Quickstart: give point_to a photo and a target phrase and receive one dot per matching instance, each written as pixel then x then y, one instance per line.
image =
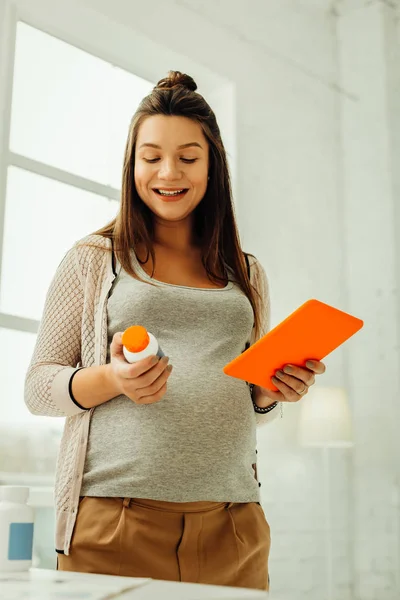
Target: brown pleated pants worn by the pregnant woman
pixel 197 542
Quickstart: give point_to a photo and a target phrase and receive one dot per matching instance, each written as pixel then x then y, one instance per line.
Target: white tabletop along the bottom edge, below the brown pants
pixel 43 584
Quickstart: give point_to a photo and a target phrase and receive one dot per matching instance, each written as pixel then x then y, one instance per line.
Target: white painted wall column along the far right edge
pixel 369 59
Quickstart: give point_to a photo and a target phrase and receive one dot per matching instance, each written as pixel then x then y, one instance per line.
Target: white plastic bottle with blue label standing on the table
pixel 16 529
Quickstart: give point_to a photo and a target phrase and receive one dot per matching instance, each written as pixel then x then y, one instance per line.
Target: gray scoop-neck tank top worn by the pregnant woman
pixel 198 442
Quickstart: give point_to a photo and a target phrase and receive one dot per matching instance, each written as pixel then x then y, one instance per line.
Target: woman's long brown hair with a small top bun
pixel 214 220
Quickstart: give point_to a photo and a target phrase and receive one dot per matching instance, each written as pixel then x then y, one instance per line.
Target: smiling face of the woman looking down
pixel 171 165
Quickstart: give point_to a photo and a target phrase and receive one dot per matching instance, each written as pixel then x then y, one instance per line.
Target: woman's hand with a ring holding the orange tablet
pixel 293 382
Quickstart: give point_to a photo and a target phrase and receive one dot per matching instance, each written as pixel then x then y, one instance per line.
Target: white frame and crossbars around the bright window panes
pixel 114 43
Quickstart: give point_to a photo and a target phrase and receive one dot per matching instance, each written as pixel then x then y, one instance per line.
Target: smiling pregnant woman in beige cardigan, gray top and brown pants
pixel 156 474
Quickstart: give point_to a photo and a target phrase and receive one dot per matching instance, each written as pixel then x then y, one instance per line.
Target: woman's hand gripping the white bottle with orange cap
pixel 143 382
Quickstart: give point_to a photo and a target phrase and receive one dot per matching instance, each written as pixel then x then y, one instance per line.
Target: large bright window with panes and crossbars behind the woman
pixel 69 118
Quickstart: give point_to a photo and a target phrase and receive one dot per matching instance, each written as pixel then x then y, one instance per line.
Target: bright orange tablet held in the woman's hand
pixel 312 331
